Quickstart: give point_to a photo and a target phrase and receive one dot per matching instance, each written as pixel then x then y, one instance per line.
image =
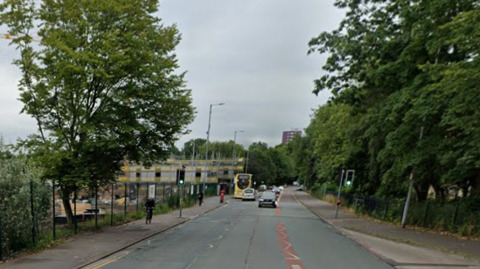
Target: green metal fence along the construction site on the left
pixel 33 215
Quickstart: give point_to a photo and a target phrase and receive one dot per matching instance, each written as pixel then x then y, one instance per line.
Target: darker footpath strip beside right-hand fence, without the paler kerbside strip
pixel 349 221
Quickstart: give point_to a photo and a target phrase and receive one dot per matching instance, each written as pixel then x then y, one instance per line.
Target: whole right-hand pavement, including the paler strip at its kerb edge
pixel 388 242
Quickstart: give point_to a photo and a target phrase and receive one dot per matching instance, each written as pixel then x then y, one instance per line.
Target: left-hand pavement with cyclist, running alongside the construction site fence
pixel 86 248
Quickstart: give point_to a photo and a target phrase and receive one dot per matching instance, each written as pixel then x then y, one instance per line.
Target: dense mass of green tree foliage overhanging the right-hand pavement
pixel 394 74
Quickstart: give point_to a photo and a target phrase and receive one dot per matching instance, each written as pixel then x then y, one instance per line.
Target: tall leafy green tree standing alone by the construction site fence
pixel 102 86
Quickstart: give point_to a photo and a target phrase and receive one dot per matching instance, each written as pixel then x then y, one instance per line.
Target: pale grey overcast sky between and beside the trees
pixel 249 54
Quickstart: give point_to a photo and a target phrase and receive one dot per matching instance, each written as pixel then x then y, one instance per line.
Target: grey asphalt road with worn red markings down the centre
pixel 241 235
